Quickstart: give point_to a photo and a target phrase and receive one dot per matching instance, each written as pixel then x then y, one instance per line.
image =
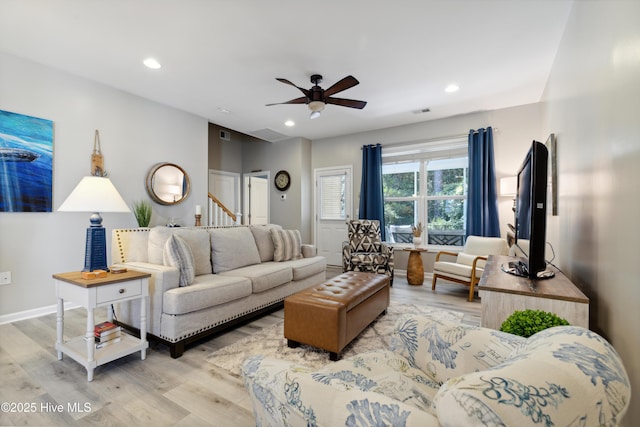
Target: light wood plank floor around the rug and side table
pixel 159 391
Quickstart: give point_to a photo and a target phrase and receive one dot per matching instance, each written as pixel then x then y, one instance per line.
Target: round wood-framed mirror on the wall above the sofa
pixel 168 184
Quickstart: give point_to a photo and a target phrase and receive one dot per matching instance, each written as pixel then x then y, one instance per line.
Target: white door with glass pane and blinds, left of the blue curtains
pixel 333 210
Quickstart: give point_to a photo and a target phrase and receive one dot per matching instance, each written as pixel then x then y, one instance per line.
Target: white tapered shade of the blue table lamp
pixel 94 194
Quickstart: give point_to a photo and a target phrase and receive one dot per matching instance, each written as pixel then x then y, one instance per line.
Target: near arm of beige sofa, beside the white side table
pixel 162 279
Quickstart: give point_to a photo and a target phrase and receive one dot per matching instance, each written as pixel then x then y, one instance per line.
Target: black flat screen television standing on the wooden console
pixel 531 214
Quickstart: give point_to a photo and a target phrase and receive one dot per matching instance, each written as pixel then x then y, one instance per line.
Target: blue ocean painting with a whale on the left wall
pixel 26 163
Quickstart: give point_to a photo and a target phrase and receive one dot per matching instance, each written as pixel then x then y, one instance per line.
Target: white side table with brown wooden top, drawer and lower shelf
pixel 92 293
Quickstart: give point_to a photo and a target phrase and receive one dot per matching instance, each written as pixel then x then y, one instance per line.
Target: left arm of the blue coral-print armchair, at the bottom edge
pixel 283 393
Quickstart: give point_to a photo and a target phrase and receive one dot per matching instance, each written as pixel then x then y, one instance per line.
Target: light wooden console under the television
pixel 502 293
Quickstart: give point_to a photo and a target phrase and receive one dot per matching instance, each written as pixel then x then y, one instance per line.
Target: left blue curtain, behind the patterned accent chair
pixel 371 198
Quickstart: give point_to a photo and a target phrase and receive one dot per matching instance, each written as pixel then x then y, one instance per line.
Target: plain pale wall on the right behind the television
pixel 593 97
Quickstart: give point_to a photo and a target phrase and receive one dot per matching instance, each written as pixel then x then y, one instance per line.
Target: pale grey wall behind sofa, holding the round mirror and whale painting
pixel 135 134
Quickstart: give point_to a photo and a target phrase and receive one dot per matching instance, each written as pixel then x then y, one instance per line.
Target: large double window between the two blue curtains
pixel 426 182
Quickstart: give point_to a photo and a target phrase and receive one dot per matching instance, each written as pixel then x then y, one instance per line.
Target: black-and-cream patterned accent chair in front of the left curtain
pixel 365 251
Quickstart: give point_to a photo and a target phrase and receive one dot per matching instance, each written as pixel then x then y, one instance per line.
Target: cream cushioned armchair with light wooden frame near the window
pixel 469 264
